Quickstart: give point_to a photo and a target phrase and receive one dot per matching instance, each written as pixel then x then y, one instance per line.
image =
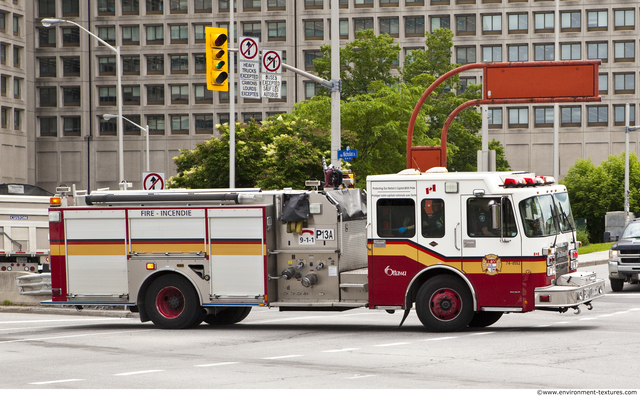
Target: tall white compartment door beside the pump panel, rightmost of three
pixel 237 253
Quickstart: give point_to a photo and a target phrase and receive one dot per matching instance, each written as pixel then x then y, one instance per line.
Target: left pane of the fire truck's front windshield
pixel 538 216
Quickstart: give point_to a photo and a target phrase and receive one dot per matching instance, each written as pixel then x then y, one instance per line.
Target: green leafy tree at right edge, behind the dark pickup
pixel 596 190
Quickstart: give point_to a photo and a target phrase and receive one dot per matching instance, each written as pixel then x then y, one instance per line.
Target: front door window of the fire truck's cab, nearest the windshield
pixel 479 222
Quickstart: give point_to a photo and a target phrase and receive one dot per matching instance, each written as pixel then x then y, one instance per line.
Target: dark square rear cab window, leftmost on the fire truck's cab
pixel 396 218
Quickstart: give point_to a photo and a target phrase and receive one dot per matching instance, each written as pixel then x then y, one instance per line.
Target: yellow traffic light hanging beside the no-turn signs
pixel 217 59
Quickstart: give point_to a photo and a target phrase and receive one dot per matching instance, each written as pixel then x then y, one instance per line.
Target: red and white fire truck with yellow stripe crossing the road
pixel 460 248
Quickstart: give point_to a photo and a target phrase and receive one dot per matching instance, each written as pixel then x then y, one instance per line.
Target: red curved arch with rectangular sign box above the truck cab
pixel 509 83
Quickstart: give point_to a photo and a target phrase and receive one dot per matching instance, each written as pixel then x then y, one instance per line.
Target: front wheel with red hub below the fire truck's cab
pixel 444 303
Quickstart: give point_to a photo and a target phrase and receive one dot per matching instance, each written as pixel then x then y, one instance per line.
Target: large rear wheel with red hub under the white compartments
pixel 172 303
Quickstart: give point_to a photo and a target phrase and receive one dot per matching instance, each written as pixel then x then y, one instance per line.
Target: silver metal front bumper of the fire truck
pixel 558 297
